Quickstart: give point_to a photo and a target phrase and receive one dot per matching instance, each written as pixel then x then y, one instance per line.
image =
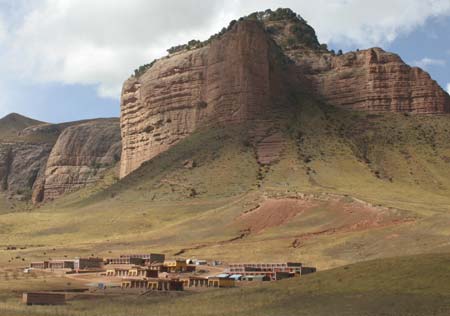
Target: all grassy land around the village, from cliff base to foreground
pixel 377 186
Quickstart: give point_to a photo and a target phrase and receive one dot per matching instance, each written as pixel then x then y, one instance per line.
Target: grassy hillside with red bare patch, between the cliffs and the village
pixel 355 186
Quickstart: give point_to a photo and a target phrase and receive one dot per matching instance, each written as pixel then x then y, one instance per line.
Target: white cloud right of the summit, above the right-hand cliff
pixel 365 23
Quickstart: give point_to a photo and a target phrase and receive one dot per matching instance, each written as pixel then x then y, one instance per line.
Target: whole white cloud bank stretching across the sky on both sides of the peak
pixel 100 42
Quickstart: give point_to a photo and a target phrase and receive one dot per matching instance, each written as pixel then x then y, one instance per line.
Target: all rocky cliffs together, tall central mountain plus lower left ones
pixel 256 70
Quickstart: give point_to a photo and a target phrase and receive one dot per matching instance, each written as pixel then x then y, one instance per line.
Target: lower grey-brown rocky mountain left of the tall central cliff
pixel 40 161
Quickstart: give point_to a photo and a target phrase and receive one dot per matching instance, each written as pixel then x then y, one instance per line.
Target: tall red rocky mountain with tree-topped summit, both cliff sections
pixel 254 69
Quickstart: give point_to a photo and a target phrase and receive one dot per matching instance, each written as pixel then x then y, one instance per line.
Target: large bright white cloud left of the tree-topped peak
pixel 101 42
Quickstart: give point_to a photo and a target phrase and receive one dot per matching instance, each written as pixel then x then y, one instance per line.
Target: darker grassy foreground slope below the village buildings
pixel 418 285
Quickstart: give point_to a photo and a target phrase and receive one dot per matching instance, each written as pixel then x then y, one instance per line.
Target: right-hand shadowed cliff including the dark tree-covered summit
pixel 369 80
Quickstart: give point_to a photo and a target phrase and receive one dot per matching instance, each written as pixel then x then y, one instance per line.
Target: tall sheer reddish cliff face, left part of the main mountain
pixel 229 80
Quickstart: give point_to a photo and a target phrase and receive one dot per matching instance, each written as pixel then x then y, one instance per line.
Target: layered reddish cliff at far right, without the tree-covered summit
pixel 373 80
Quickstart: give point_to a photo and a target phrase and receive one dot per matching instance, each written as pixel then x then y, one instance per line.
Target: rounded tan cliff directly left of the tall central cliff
pixel 79 157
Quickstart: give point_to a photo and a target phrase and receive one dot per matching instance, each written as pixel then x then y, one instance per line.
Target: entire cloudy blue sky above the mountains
pixel 64 60
